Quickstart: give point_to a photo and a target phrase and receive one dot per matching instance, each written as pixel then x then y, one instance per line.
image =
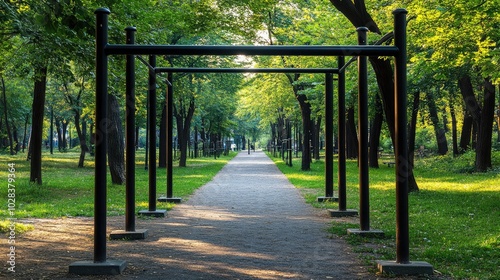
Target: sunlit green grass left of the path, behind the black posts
pixel 68 191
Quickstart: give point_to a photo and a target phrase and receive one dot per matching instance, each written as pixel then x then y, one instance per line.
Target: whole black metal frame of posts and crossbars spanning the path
pixel 362 51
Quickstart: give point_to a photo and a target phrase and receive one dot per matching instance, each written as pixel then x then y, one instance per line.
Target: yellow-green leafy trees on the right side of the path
pixel 453 72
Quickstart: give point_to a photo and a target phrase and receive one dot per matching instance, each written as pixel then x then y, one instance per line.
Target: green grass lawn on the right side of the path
pixel 454 218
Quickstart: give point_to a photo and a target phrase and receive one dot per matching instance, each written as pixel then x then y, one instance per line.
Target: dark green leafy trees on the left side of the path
pixel 47 63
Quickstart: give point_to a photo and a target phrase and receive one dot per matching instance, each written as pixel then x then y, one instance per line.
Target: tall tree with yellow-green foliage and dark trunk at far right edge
pixel 459 37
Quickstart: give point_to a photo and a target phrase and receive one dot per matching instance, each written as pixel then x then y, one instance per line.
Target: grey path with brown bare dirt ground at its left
pixel 249 222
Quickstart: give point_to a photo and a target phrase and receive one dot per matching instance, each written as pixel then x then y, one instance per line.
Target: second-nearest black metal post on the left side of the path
pixel 130 135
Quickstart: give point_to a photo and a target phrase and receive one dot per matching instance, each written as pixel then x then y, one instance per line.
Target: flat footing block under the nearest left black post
pixel 109 267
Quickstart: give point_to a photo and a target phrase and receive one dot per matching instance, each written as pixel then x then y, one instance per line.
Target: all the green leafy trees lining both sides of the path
pixel 46 66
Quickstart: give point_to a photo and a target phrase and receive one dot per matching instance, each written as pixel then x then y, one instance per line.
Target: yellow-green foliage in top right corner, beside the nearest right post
pixel 450 35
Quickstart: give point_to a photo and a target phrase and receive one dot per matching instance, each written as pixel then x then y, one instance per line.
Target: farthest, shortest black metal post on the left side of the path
pixel 170 124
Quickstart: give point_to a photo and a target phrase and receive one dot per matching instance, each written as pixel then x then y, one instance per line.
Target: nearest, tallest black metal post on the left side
pixel 101 111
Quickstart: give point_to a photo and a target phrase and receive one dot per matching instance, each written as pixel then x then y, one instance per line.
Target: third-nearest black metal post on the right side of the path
pixel 341 133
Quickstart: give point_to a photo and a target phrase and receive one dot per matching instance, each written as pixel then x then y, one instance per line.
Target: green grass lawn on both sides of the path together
pixel 454 219
